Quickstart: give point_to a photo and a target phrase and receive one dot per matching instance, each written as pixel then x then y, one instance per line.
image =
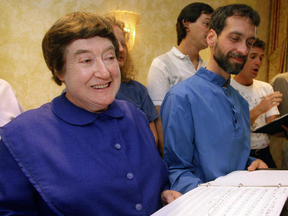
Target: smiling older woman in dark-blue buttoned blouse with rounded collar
pixel 84 153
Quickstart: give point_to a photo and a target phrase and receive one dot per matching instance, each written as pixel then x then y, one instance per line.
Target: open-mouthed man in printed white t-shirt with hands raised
pixel 263 102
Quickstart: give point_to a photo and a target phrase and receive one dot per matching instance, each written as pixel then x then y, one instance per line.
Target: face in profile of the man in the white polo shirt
pixel 197 31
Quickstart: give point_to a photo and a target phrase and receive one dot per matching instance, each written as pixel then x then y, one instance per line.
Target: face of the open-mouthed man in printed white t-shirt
pixel 253 64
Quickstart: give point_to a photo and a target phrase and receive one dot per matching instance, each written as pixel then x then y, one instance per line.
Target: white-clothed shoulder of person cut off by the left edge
pixel 10 107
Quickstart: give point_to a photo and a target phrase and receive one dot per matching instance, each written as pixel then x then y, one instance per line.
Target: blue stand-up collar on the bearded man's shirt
pixel 212 77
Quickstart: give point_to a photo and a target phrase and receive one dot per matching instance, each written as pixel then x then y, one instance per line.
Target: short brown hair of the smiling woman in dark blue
pixel 73 26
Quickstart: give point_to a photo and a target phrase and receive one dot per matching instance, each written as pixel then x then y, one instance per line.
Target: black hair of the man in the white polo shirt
pixel 190 13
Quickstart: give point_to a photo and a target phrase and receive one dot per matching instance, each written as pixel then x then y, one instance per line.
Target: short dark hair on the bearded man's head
pixel 218 18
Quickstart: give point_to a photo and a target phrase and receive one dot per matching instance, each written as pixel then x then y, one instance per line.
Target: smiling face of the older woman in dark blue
pixel 91 73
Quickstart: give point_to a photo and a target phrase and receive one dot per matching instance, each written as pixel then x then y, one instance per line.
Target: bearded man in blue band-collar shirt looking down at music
pixel 206 124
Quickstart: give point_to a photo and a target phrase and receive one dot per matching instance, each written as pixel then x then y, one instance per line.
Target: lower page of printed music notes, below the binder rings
pixel 219 201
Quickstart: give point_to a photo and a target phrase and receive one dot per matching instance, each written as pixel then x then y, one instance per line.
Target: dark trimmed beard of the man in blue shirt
pixel 225 64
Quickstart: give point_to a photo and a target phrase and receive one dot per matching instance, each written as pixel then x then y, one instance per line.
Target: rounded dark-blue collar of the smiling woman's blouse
pixel 73 114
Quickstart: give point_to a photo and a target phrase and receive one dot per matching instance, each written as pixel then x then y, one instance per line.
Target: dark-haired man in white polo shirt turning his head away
pixel 182 62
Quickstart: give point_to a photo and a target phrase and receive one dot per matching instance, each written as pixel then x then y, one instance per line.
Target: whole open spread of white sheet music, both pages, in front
pixel 260 194
